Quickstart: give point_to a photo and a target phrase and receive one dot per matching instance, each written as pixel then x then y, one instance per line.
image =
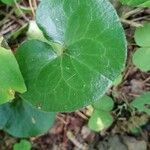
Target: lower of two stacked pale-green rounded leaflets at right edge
pixel 141 59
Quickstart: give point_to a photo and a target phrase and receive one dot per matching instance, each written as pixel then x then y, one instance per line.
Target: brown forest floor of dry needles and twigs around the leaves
pixel 70 130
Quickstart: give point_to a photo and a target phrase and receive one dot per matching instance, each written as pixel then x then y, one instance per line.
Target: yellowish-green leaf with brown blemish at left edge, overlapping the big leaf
pixel 11 80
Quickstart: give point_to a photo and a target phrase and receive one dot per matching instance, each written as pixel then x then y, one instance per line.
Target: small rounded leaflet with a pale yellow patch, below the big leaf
pixel 100 120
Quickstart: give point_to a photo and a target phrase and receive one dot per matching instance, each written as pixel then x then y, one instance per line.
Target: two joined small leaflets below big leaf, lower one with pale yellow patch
pixel 101 117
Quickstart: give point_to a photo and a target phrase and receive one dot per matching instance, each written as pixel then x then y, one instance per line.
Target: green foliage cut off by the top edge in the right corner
pixel 139 3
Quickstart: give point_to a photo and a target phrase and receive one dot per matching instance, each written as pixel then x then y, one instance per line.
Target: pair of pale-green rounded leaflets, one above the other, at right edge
pixel 142 55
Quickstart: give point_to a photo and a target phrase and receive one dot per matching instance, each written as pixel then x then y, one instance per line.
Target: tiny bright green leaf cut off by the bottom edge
pixel 23 145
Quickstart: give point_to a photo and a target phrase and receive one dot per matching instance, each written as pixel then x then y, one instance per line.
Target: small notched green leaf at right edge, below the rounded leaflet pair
pixel 142 103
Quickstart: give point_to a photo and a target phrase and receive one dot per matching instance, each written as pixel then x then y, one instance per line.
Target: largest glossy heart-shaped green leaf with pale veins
pixel 87 53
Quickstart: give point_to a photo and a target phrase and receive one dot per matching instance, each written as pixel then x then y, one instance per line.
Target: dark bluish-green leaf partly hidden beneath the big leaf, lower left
pixel 21 120
